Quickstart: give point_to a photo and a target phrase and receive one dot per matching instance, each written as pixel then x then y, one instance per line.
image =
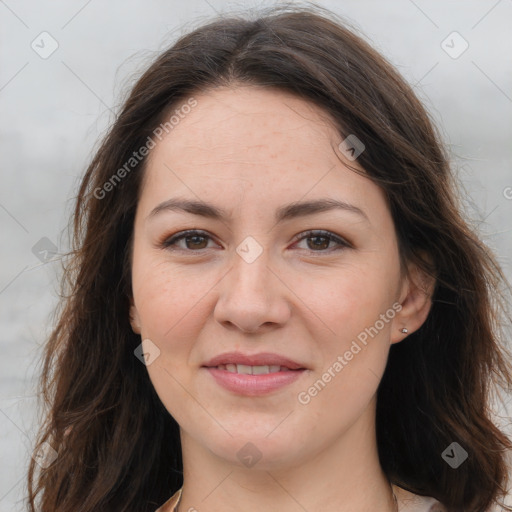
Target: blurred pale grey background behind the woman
pixel 64 69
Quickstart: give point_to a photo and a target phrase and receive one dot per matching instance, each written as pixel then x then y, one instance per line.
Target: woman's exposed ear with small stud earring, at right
pixel 416 300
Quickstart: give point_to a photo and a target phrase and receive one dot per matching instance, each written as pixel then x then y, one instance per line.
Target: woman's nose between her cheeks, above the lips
pixel 252 297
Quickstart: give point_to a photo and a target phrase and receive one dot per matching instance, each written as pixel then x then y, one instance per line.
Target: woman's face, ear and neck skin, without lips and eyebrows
pixel 251 150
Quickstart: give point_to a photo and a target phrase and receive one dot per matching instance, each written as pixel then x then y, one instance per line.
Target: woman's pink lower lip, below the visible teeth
pixel 253 385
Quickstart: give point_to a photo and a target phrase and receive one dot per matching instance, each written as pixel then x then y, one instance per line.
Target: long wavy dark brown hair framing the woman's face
pixel 118 449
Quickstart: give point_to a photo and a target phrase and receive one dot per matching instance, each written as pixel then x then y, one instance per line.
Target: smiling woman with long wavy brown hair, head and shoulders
pixel 273 301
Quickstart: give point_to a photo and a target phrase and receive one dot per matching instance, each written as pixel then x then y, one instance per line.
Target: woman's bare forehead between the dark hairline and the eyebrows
pixel 259 144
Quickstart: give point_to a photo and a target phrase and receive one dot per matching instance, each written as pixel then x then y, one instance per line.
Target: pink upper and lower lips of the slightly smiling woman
pixel 253 385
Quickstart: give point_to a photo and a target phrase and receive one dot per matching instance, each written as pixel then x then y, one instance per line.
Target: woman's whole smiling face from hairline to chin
pixel 310 295
